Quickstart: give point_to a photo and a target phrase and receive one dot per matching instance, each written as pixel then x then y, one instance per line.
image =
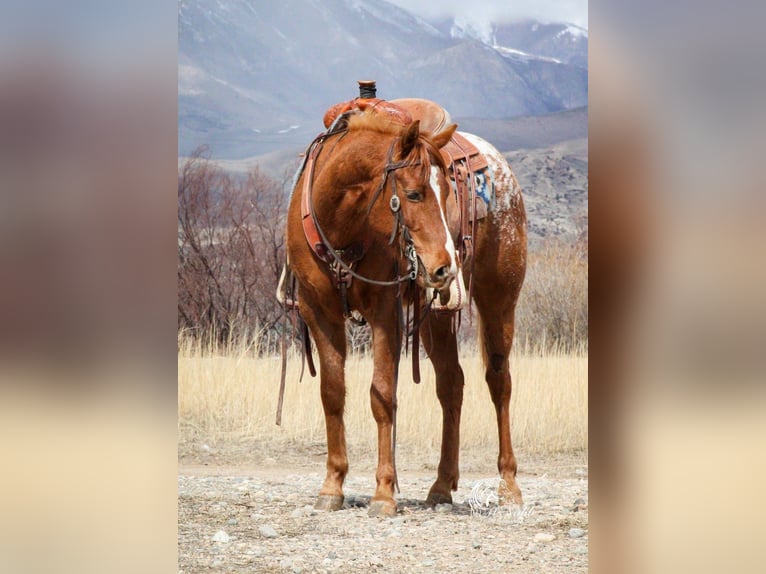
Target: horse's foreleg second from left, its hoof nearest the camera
pixel 382 401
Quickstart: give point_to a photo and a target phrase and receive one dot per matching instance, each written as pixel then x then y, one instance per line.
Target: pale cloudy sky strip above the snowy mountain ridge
pixel 574 11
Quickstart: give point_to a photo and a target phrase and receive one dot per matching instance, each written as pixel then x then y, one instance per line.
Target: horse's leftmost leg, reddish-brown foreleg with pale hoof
pixel 330 338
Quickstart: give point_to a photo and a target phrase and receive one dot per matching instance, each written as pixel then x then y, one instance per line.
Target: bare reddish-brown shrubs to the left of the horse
pixel 230 251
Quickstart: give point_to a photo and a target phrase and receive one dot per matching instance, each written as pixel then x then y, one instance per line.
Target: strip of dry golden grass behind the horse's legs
pixel 231 396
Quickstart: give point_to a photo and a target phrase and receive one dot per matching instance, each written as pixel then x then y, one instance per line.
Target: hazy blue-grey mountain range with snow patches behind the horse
pixel 257 76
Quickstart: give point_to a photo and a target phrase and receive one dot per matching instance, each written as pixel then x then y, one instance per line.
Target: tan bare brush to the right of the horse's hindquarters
pixel 553 306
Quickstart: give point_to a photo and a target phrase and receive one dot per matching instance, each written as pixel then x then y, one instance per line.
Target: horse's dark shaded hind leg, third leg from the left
pixel 441 345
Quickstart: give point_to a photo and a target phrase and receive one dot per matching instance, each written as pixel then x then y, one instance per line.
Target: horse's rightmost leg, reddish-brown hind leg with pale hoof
pixel 497 334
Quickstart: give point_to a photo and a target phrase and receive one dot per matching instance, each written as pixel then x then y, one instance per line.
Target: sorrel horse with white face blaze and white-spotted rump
pixel 367 232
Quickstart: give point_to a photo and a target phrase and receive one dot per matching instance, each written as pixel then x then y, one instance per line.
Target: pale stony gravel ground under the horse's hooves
pixel 246 519
